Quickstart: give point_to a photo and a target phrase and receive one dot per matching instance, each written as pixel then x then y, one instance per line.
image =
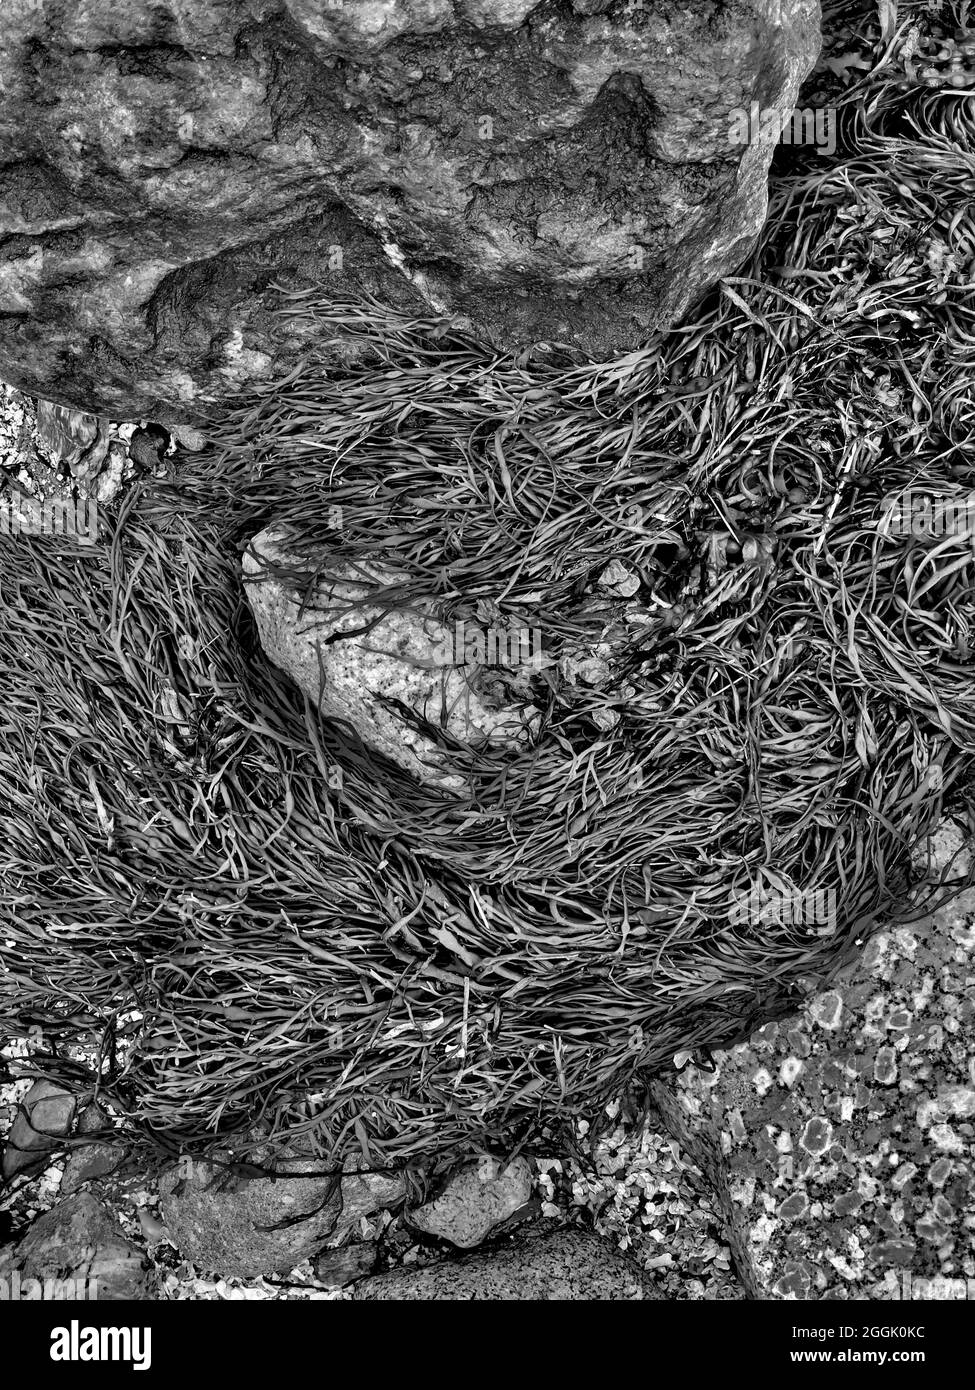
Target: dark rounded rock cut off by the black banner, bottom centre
pixel 567 1266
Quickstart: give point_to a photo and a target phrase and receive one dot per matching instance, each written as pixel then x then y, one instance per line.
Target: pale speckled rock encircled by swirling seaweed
pixel 404 657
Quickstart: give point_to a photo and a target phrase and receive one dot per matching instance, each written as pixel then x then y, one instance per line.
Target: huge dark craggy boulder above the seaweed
pixel 540 172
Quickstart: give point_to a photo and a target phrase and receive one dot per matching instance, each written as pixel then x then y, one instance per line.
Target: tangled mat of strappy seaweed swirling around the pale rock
pixel 262 925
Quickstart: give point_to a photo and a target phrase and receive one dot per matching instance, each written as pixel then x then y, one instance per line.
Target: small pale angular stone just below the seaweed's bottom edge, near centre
pixel 475 1200
